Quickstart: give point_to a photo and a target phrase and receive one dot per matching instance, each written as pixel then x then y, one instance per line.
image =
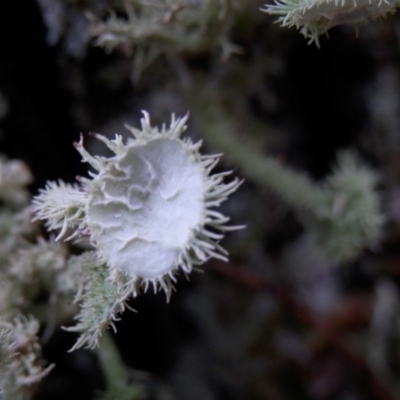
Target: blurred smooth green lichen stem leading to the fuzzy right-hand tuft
pixel 218 129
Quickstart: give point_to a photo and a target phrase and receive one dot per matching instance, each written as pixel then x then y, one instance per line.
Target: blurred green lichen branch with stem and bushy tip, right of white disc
pixel 342 213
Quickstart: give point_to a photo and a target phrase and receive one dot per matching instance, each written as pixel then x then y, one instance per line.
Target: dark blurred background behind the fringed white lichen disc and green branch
pixel 278 321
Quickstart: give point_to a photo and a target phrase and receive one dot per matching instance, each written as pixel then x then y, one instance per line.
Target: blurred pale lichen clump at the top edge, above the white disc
pixel 155 28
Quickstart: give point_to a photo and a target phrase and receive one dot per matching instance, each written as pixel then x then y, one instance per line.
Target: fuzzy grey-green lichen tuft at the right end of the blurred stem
pixel 351 218
